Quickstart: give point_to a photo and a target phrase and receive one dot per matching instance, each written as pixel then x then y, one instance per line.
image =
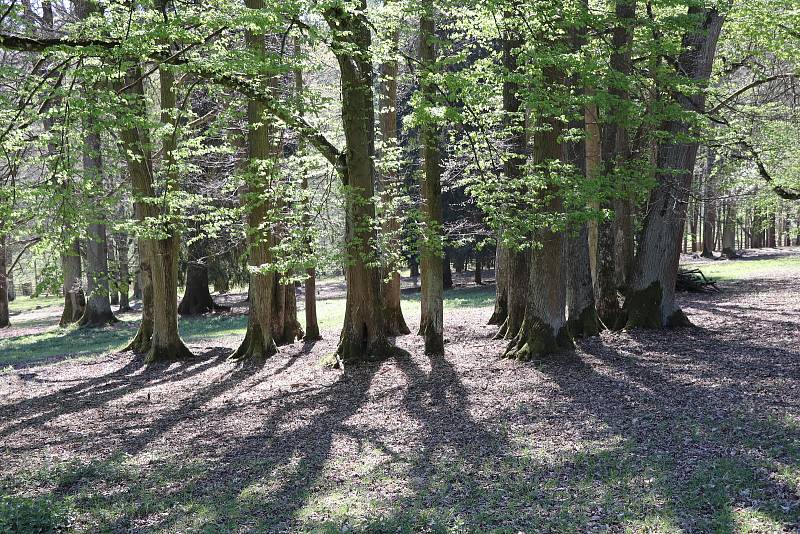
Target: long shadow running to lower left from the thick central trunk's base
pixel 277 465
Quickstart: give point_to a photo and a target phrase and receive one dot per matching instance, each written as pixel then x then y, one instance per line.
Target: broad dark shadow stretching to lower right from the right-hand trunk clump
pixel 688 431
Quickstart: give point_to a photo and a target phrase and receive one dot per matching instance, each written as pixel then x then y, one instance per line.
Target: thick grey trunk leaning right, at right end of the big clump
pixel 650 300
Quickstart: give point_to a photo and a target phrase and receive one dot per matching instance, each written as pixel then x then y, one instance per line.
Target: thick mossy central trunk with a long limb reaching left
pixel 364 333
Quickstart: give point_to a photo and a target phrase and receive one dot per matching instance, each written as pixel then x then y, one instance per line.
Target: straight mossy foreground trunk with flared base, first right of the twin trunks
pixel 258 343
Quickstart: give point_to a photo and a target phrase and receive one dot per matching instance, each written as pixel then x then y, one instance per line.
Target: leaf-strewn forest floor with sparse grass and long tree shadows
pixel 686 430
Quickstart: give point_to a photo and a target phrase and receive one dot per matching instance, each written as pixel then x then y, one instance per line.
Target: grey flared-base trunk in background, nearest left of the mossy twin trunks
pixel 98 306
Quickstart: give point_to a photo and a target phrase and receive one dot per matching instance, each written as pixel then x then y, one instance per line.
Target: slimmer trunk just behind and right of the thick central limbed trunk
pixel 389 187
